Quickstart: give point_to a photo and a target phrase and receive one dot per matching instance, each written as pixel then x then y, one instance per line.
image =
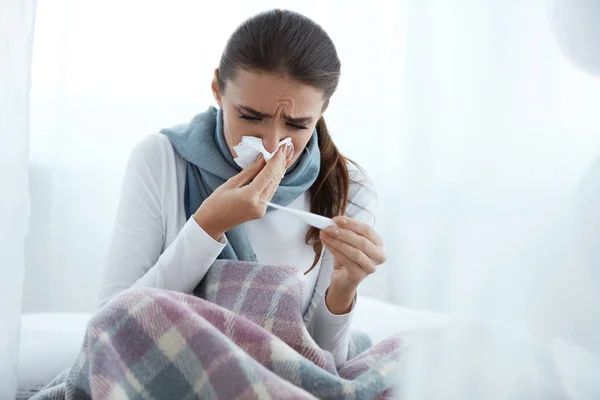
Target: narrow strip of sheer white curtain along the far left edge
pixel 16 39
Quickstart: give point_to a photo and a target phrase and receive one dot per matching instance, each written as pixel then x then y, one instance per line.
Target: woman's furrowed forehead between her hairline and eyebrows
pixel 265 92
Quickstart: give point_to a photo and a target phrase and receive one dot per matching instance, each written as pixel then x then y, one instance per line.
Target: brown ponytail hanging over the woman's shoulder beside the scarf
pixel 329 194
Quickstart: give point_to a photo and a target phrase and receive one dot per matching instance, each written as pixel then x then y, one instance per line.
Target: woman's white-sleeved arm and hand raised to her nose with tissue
pixel 136 255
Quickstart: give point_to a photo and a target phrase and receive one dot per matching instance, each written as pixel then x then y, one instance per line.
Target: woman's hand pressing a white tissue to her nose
pixel 239 199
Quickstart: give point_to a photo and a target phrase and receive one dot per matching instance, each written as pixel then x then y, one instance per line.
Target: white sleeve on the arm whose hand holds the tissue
pixel 135 256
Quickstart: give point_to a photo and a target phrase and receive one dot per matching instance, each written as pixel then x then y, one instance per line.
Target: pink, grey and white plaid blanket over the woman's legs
pixel 241 336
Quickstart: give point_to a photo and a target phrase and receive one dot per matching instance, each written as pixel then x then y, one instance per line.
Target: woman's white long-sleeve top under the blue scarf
pixel 154 245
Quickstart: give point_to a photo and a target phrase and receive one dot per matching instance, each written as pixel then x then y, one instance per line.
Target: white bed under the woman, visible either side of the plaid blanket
pixel 50 344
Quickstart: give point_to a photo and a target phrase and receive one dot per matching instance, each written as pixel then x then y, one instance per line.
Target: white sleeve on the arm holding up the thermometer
pixel 332 332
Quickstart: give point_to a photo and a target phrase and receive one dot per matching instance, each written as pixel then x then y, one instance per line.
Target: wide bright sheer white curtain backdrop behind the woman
pixel 472 124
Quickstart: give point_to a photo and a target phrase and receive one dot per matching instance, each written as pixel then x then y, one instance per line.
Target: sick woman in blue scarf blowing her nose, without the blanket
pixel 185 202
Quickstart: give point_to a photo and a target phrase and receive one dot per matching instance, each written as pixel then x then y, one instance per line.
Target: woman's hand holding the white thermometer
pixel 357 250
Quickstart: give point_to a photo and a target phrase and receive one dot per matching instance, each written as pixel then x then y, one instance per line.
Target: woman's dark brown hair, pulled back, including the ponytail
pixel 287 43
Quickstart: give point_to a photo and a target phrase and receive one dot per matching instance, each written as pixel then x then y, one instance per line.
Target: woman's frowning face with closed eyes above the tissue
pixel 269 107
